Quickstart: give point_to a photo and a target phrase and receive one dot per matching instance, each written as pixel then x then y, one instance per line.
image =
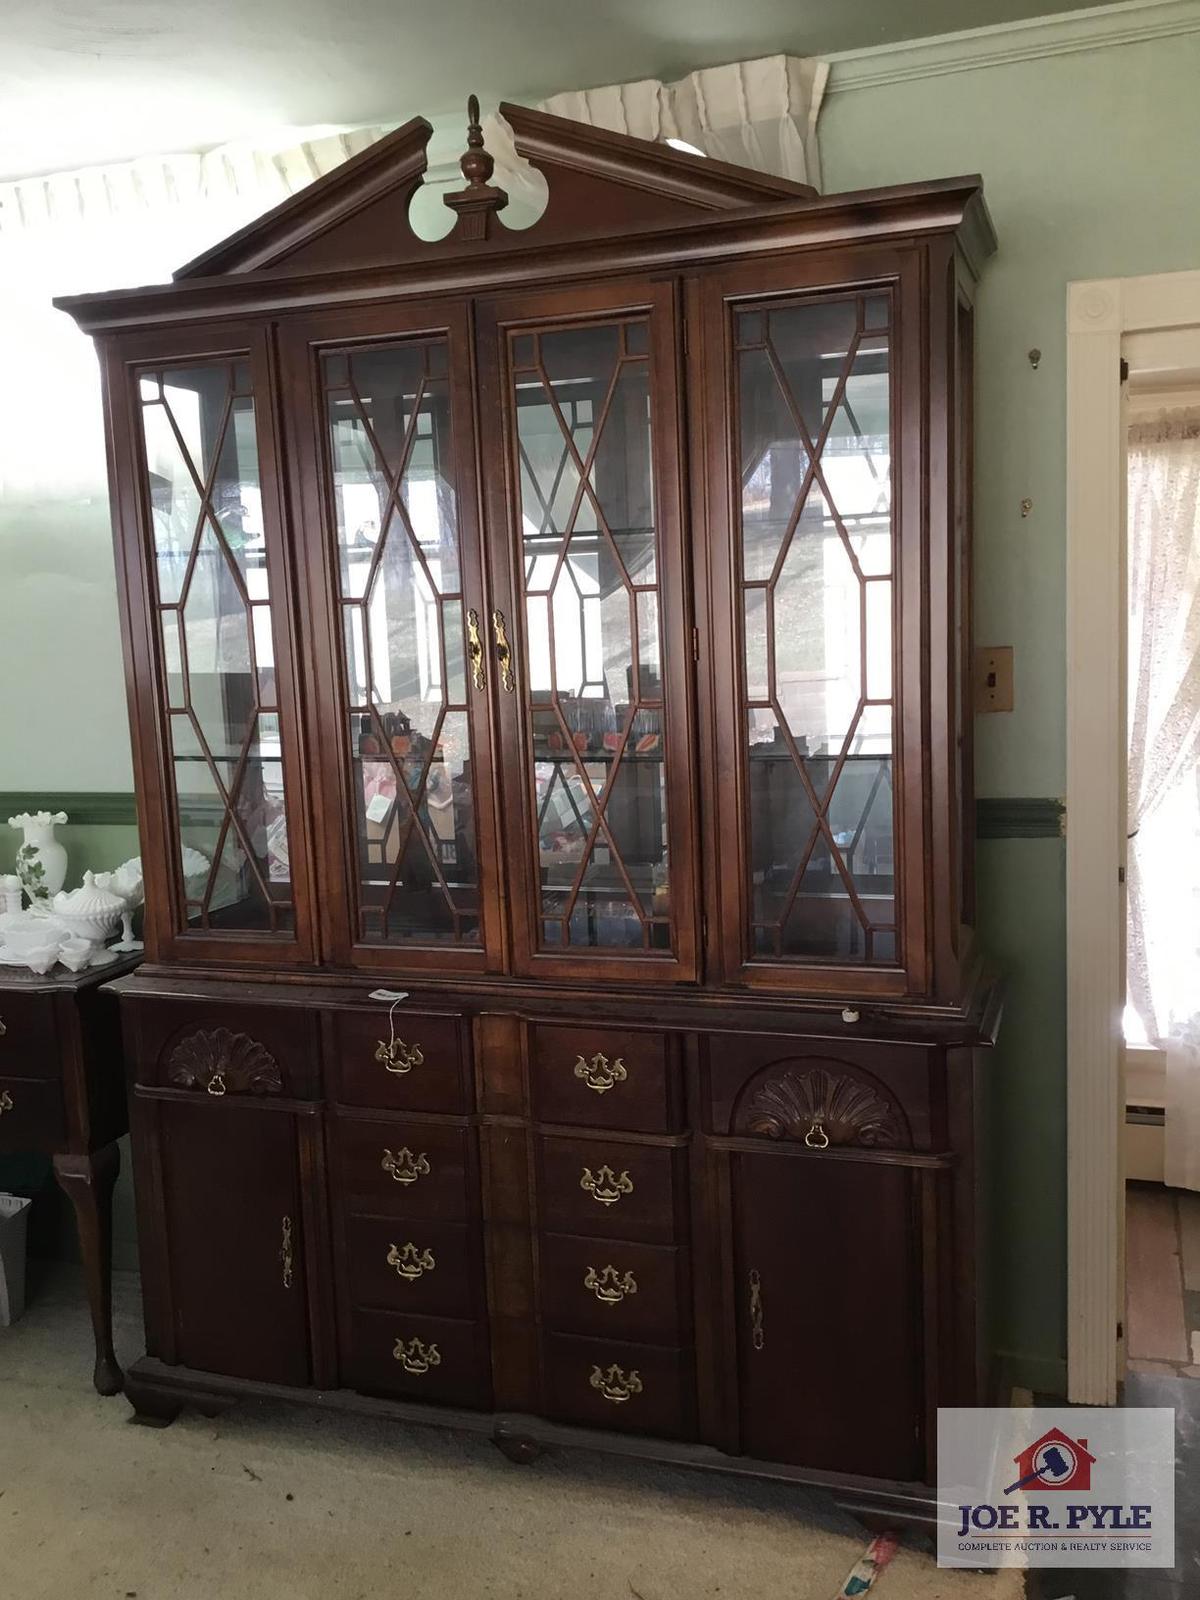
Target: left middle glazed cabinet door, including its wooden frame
pixel 382 406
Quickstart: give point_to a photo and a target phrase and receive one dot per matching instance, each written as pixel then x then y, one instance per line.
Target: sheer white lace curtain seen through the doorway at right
pixel 1164 772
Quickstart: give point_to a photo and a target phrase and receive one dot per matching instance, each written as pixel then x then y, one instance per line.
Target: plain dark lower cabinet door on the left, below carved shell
pixel 231 1188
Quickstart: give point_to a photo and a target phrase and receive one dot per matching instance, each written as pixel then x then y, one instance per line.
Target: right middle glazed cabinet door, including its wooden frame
pixel 591 631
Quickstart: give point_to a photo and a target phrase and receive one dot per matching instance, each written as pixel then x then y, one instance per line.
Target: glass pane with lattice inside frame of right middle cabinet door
pixel 594 671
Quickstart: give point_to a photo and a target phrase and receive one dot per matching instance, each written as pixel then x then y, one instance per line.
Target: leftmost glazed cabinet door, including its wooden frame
pixel 210 649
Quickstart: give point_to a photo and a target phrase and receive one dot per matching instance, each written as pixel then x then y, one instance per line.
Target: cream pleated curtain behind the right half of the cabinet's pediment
pixel 758 114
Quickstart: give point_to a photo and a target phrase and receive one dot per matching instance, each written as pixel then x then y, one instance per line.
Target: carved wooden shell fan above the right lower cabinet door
pixel 822 1108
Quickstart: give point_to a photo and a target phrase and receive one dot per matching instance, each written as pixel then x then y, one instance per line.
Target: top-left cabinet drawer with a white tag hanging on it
pixel 418 1063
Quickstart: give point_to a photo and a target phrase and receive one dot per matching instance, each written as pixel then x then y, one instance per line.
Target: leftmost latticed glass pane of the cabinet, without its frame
pixel 206 510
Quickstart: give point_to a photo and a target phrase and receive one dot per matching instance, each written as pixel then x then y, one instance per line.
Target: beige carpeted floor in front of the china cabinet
pixel 273 1503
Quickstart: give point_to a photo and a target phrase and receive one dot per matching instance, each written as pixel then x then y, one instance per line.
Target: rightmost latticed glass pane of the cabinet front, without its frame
pixel 817 602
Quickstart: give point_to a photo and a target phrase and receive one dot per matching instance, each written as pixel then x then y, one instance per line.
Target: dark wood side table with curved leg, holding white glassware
pixel 63 1095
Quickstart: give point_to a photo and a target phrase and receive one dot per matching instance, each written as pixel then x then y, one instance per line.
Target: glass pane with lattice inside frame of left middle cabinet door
pixel 404 642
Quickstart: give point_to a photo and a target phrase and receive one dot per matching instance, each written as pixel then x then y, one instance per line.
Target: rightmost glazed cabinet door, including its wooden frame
pixel 812 436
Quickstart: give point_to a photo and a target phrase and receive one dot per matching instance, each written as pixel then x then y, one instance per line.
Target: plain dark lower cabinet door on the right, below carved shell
pixel 830 1303
